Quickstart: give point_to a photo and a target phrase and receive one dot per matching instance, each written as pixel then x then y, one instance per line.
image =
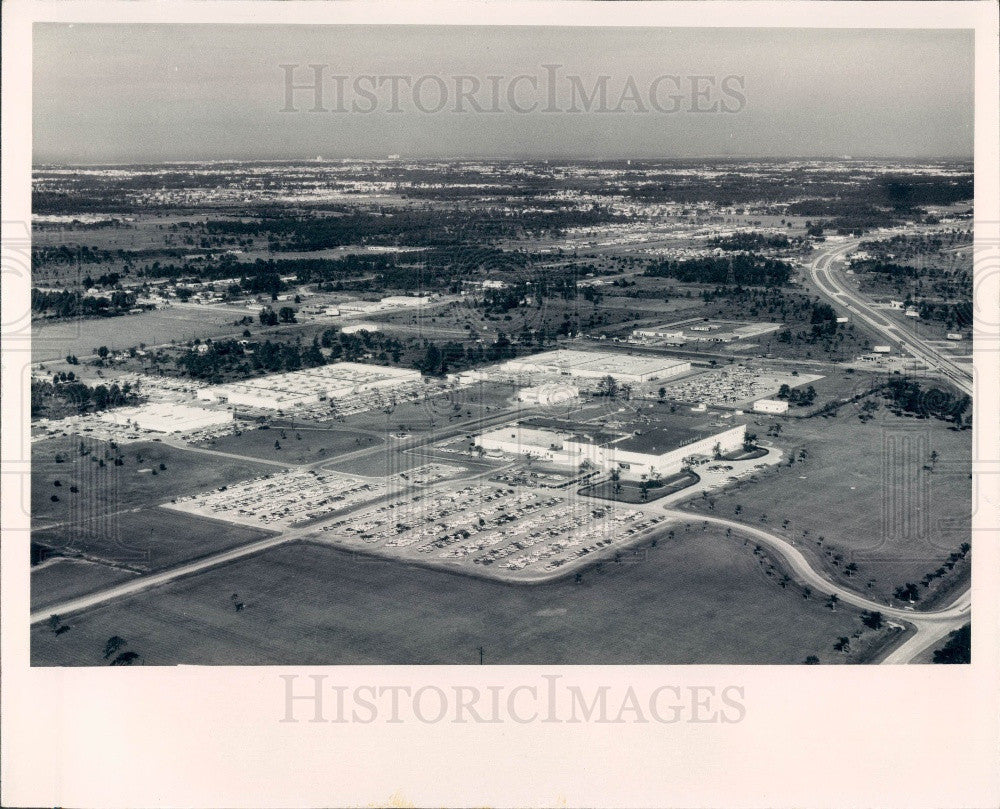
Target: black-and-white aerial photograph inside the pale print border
pixel 593 346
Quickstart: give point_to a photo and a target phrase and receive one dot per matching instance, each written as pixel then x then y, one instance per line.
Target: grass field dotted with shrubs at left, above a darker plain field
pixel 112 488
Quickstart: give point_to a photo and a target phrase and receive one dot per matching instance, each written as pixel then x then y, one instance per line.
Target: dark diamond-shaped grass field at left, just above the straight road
pixel 147 539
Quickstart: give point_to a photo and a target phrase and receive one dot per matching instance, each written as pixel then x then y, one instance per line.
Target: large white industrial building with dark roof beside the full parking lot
pixel 657 452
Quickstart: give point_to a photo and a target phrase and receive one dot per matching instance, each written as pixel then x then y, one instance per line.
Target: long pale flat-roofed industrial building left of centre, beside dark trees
pixel 298 388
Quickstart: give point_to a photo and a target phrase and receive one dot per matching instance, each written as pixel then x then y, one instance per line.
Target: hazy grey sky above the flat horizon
pixel 151 93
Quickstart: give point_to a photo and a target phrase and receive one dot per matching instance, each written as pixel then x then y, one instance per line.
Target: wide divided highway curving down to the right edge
pixel 829 282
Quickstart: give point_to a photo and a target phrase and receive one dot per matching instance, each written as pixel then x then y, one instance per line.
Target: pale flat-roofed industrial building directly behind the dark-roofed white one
pixel 597 365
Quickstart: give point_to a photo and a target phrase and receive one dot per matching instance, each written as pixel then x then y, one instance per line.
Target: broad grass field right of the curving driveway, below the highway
pixel 864 489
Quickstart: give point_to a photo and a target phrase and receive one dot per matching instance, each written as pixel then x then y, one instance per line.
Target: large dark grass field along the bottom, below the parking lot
pixel 697 599
